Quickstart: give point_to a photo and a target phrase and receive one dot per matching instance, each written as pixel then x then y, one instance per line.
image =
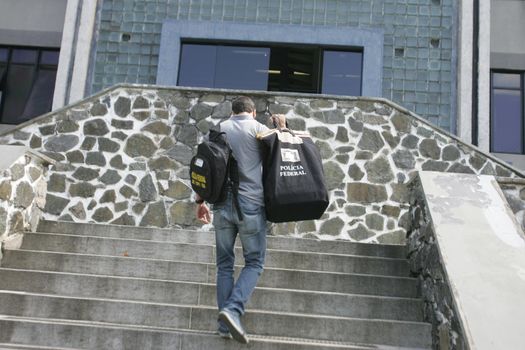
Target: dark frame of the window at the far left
pixel 37 66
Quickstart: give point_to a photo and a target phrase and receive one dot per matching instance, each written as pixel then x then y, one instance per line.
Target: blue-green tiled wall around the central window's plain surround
pixel 418 72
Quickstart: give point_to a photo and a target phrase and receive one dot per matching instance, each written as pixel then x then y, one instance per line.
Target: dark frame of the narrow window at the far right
pixel 522 105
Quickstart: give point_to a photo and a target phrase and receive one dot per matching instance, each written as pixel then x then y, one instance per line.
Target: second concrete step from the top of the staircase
pixel 206 254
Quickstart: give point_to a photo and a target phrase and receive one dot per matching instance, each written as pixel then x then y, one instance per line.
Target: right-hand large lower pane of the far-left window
pixel 41 98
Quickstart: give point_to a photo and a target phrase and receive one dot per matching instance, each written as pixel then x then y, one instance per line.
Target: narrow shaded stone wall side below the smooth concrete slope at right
pixel 425 264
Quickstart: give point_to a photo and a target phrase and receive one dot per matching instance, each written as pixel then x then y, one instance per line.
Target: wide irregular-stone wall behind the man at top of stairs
pixel 123 157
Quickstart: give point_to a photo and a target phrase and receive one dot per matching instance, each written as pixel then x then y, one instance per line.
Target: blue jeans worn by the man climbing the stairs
pixel 252 233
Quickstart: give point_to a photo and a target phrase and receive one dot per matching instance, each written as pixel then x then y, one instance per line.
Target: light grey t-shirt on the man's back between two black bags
pixel 241 131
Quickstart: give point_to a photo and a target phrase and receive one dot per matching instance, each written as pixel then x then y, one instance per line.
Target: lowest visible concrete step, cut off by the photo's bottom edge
pixel 80 335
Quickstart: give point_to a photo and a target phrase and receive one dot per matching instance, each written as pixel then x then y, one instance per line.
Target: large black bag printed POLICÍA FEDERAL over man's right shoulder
pixel 293 176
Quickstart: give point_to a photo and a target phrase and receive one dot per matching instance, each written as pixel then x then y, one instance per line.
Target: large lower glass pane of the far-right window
pixel 507 125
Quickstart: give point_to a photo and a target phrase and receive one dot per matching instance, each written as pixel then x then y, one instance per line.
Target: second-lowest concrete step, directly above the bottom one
pixel 202 318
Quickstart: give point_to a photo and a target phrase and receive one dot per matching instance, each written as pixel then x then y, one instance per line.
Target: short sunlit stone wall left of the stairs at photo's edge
pixel 22 197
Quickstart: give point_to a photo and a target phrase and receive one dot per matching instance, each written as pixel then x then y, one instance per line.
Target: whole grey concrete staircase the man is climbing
pixel 86 286
